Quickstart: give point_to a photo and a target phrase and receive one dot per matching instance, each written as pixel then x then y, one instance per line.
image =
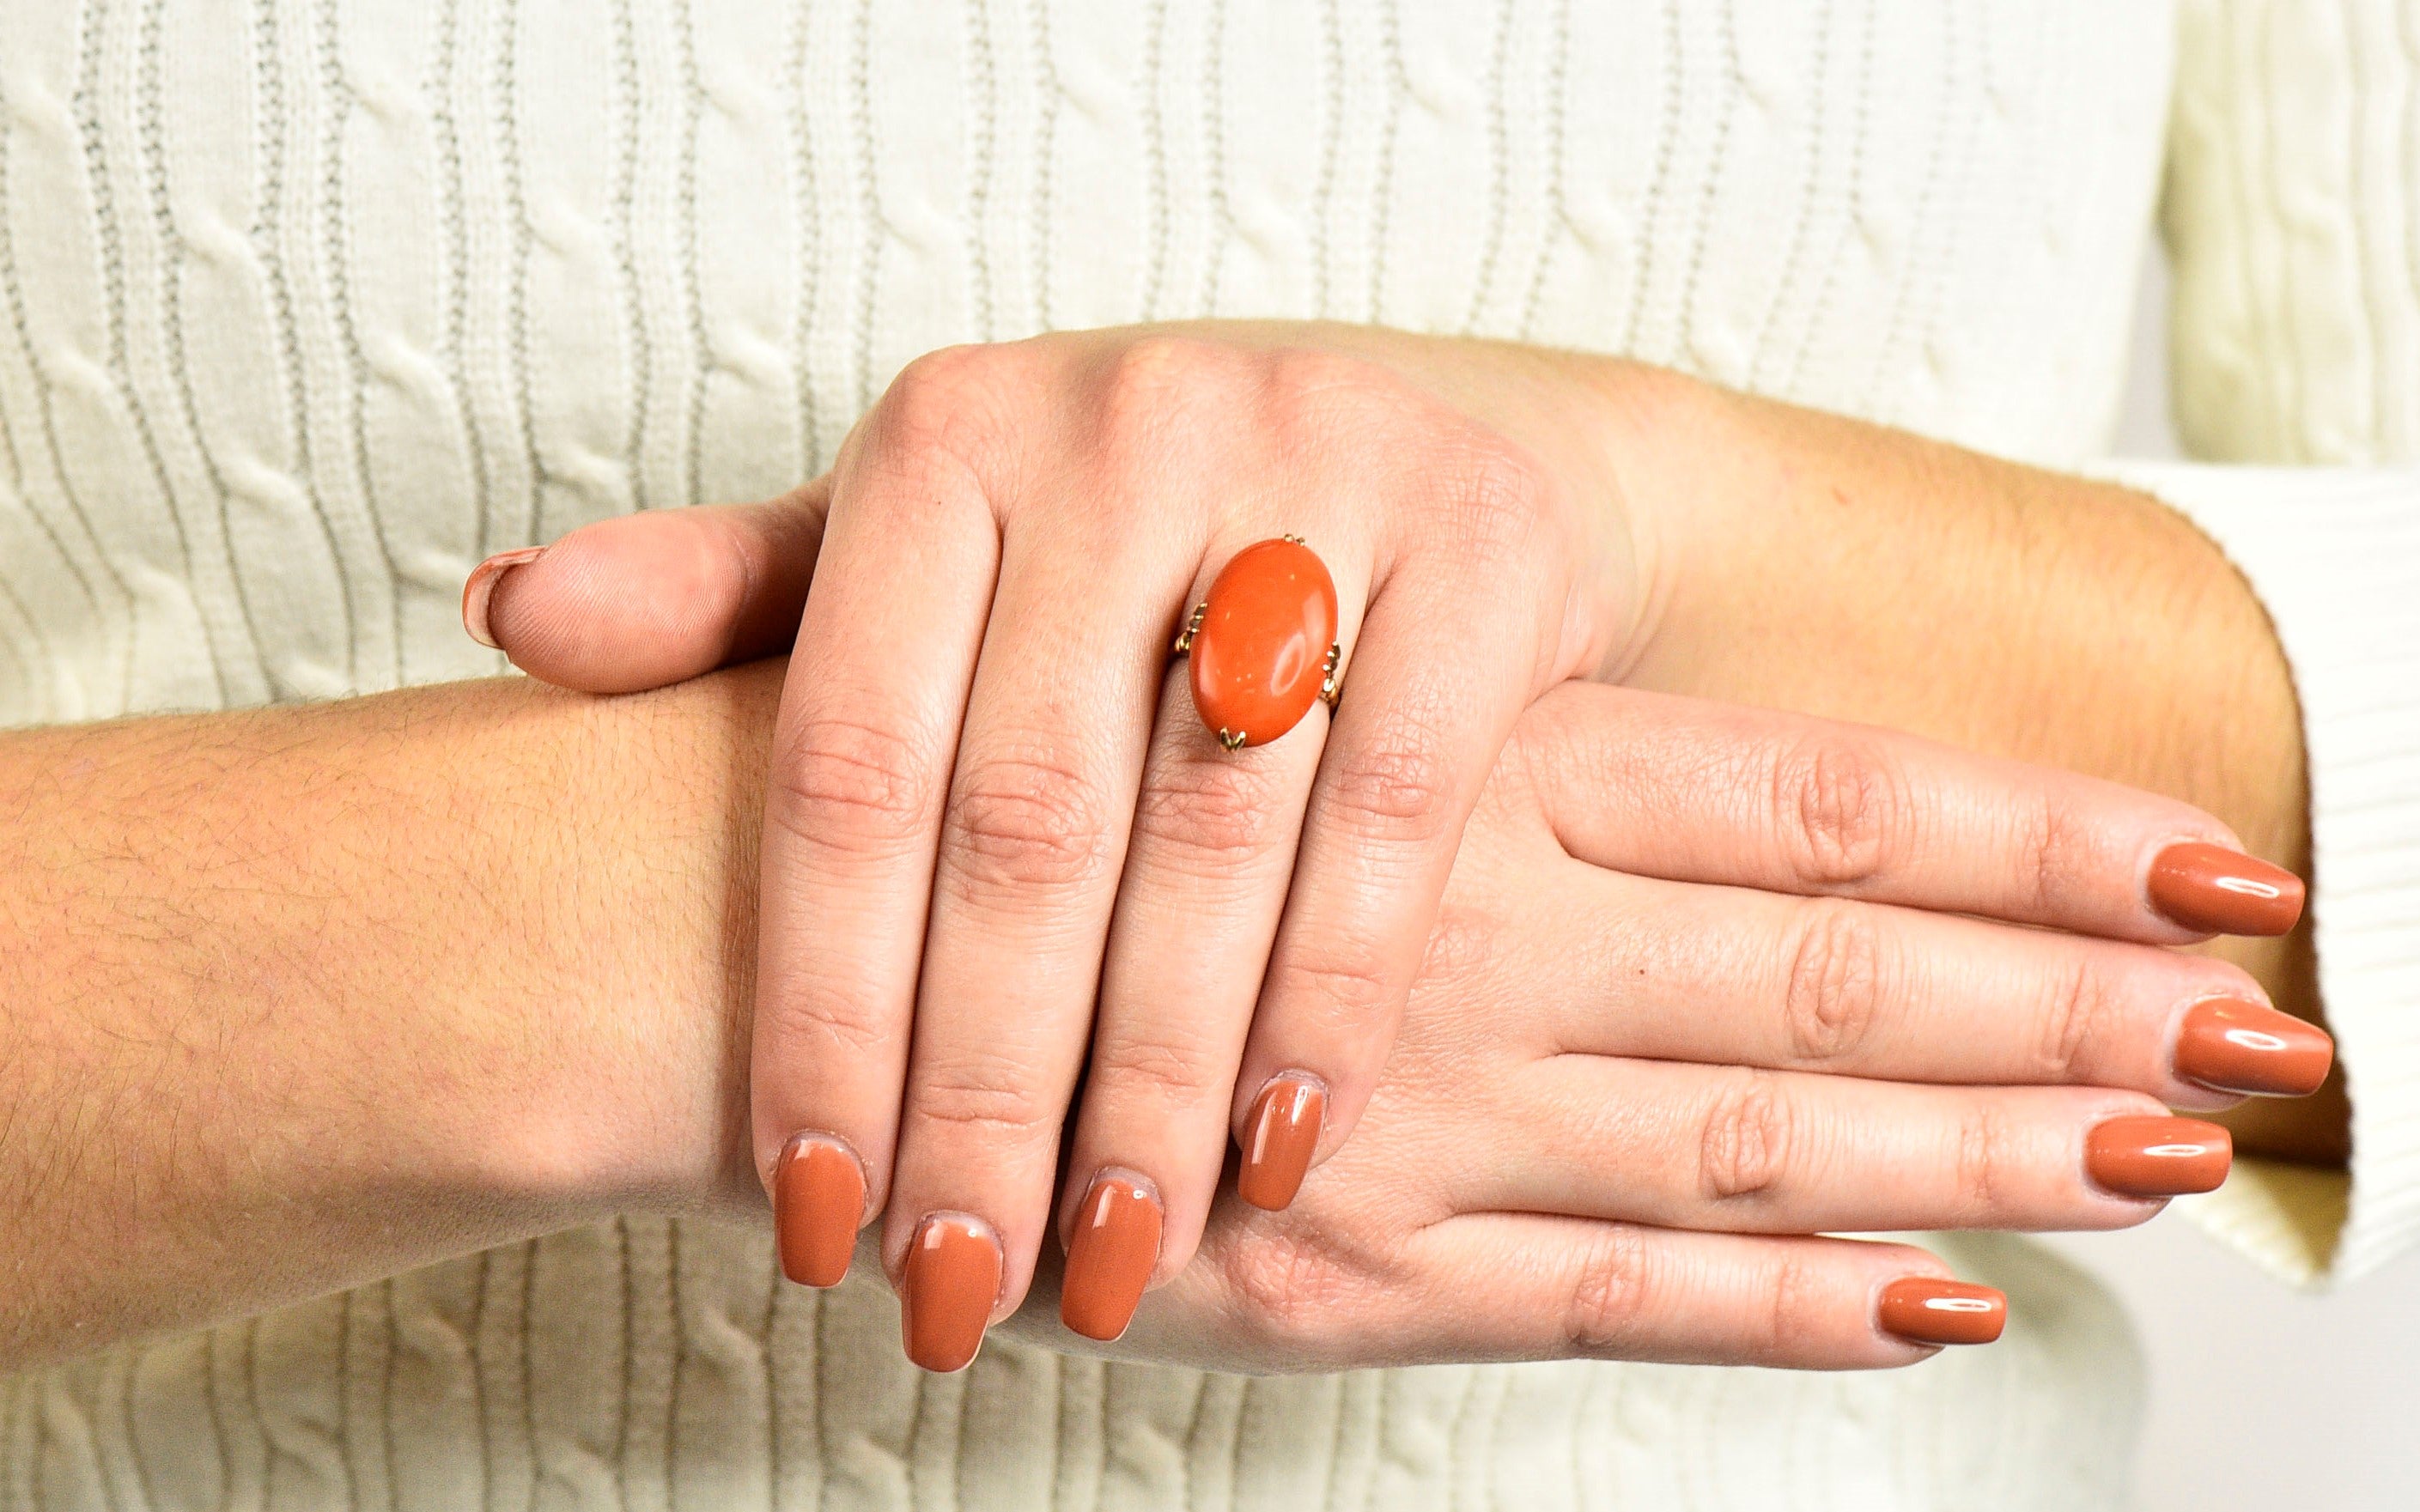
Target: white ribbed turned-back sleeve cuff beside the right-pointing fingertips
pixel 2337 560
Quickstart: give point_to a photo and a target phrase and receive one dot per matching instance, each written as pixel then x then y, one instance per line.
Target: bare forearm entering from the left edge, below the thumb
pixel 309 996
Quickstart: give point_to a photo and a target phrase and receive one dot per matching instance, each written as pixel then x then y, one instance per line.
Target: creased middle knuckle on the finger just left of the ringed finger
pixel 1025 821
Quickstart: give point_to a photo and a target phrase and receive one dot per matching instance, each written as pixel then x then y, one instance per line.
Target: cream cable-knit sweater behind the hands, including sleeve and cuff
pixel 306 306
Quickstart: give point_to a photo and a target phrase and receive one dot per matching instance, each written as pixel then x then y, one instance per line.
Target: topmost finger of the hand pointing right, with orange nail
pixel 1698 792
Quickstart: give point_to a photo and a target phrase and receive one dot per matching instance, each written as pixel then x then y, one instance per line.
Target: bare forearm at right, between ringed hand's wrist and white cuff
pixel 1833 567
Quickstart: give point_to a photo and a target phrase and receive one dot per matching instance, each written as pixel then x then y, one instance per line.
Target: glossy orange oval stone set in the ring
pixel 1262 647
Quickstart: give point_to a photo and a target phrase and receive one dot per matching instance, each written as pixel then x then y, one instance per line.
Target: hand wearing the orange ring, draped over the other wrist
pixel 993 804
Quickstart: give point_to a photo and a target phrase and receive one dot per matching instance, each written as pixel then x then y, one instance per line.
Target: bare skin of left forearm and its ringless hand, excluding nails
pixel 311 996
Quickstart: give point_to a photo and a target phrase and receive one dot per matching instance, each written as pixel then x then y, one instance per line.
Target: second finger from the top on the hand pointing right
pixel 1734 976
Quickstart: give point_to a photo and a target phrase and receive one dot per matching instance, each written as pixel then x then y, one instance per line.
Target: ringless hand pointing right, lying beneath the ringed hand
pixel 1627 928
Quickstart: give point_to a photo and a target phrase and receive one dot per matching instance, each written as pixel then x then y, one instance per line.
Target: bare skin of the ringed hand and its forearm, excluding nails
pixel 1661 533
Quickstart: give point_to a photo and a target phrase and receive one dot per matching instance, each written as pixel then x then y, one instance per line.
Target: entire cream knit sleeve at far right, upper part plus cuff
pixel 2293 221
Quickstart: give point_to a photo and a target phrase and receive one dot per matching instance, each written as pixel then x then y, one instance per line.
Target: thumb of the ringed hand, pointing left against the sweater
pixel 652 599
